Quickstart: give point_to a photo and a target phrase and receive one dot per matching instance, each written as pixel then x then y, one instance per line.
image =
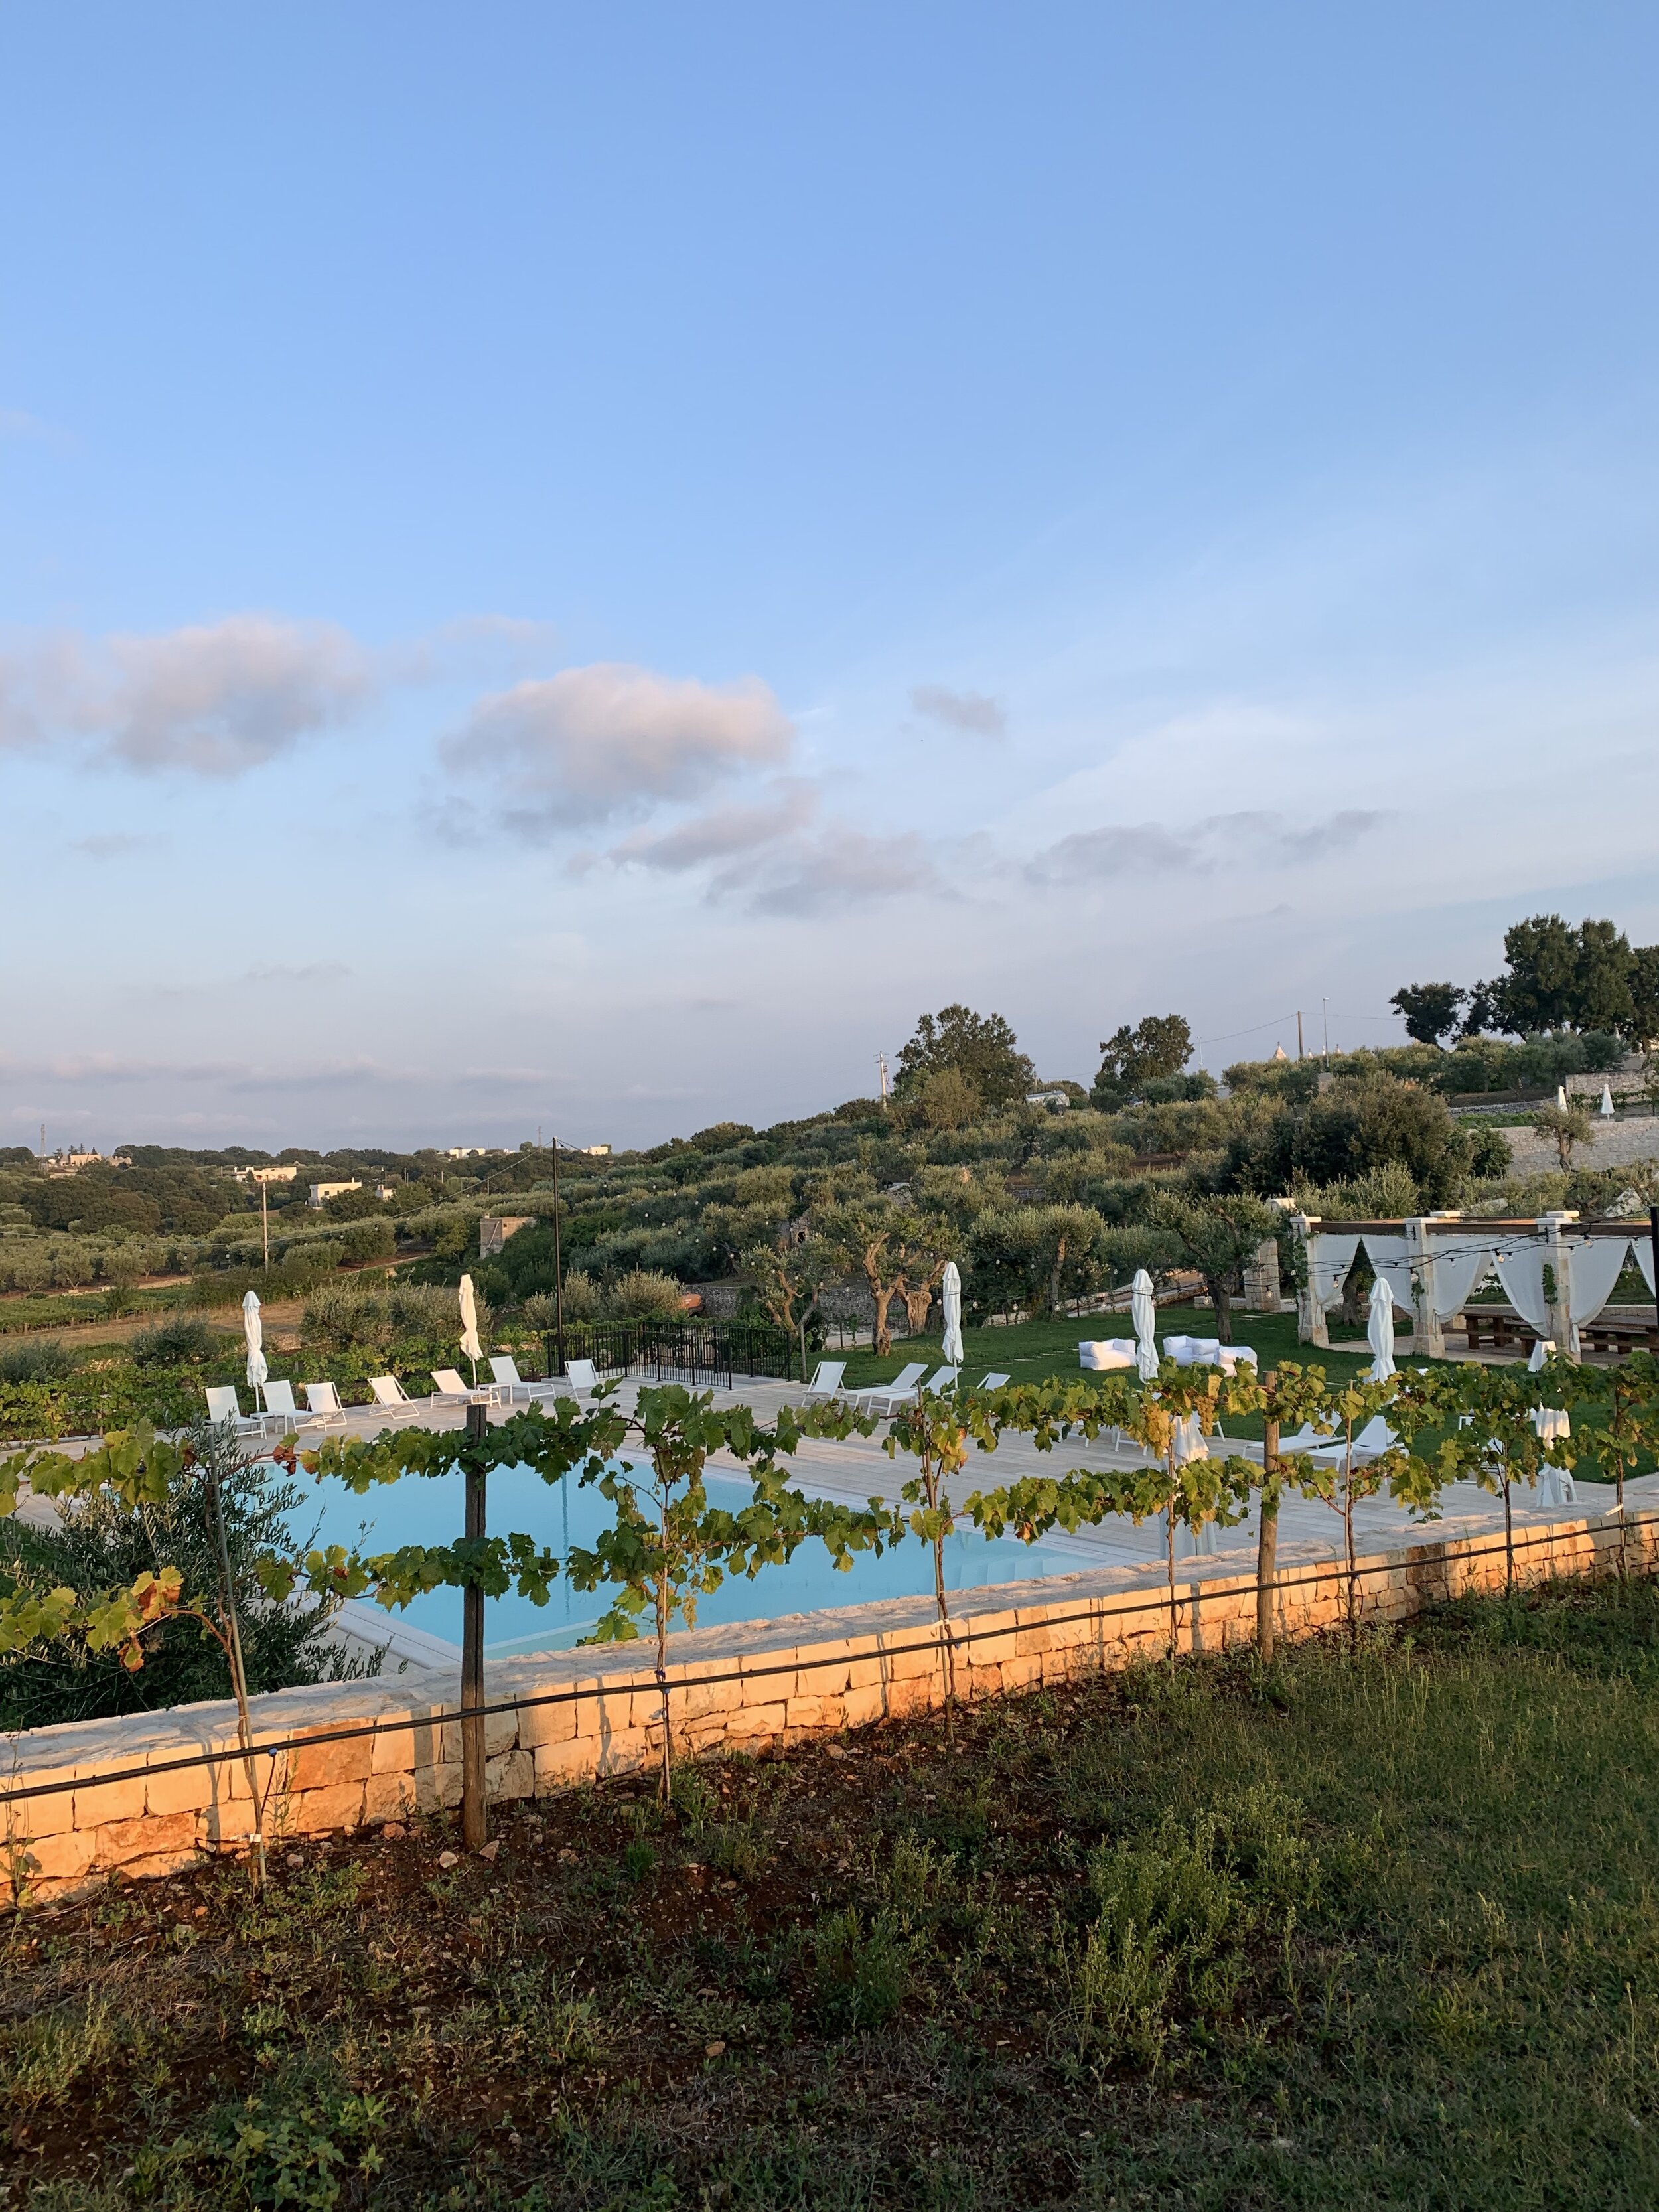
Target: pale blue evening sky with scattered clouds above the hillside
pixel 578 570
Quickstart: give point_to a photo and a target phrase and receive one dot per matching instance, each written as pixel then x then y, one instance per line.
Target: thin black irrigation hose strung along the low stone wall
pixel 1191 1598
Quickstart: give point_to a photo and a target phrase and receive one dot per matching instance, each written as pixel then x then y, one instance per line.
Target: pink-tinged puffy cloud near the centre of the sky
pixel 612 740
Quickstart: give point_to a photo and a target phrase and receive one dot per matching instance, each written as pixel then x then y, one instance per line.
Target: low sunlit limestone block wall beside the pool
pixel 118 1797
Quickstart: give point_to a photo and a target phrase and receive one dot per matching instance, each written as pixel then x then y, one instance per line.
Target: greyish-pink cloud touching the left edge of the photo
pixel 211 700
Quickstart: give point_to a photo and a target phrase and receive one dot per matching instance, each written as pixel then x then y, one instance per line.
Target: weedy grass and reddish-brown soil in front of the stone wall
pixel 1364 1930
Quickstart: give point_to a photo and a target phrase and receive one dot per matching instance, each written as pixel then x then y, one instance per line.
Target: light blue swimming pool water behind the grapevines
pixel 428 1510
